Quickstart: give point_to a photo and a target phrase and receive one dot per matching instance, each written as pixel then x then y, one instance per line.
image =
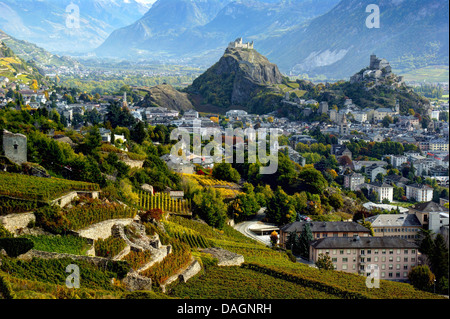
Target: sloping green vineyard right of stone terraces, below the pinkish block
pixel 268 266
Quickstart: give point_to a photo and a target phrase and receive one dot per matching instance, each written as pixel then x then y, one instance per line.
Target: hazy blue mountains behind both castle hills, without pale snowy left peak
pixel 327 38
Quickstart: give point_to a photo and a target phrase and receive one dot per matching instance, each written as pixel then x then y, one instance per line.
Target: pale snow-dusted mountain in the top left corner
pixel 50 23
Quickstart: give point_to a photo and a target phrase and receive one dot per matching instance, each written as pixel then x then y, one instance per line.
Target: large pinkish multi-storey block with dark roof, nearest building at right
pixel 392 257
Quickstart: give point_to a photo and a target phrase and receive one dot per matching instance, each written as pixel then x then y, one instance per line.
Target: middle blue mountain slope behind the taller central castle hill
pixel 190 29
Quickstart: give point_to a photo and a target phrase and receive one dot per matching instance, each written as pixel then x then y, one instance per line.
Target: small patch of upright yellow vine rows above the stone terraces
pixel 164 202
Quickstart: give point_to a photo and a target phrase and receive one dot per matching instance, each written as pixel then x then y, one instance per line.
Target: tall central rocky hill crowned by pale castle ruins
pixel 238 77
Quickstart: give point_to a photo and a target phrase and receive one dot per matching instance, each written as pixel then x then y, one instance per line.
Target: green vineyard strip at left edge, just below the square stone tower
pixel 39 188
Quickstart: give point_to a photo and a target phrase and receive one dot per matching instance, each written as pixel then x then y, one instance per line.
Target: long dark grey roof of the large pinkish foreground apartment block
pixel 363 242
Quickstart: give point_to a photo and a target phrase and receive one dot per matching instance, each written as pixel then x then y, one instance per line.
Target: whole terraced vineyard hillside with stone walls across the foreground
pixel 107 264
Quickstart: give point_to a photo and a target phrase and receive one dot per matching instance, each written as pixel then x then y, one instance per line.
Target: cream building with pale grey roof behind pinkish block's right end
pixel 404 226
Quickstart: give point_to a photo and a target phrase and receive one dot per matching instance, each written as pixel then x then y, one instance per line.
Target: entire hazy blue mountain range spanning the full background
pixel 326 39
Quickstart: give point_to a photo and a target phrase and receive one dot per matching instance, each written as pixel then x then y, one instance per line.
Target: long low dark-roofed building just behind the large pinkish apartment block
pixel 324 230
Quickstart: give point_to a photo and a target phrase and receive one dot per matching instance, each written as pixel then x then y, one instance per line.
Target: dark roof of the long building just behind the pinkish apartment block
pixel 325 227
